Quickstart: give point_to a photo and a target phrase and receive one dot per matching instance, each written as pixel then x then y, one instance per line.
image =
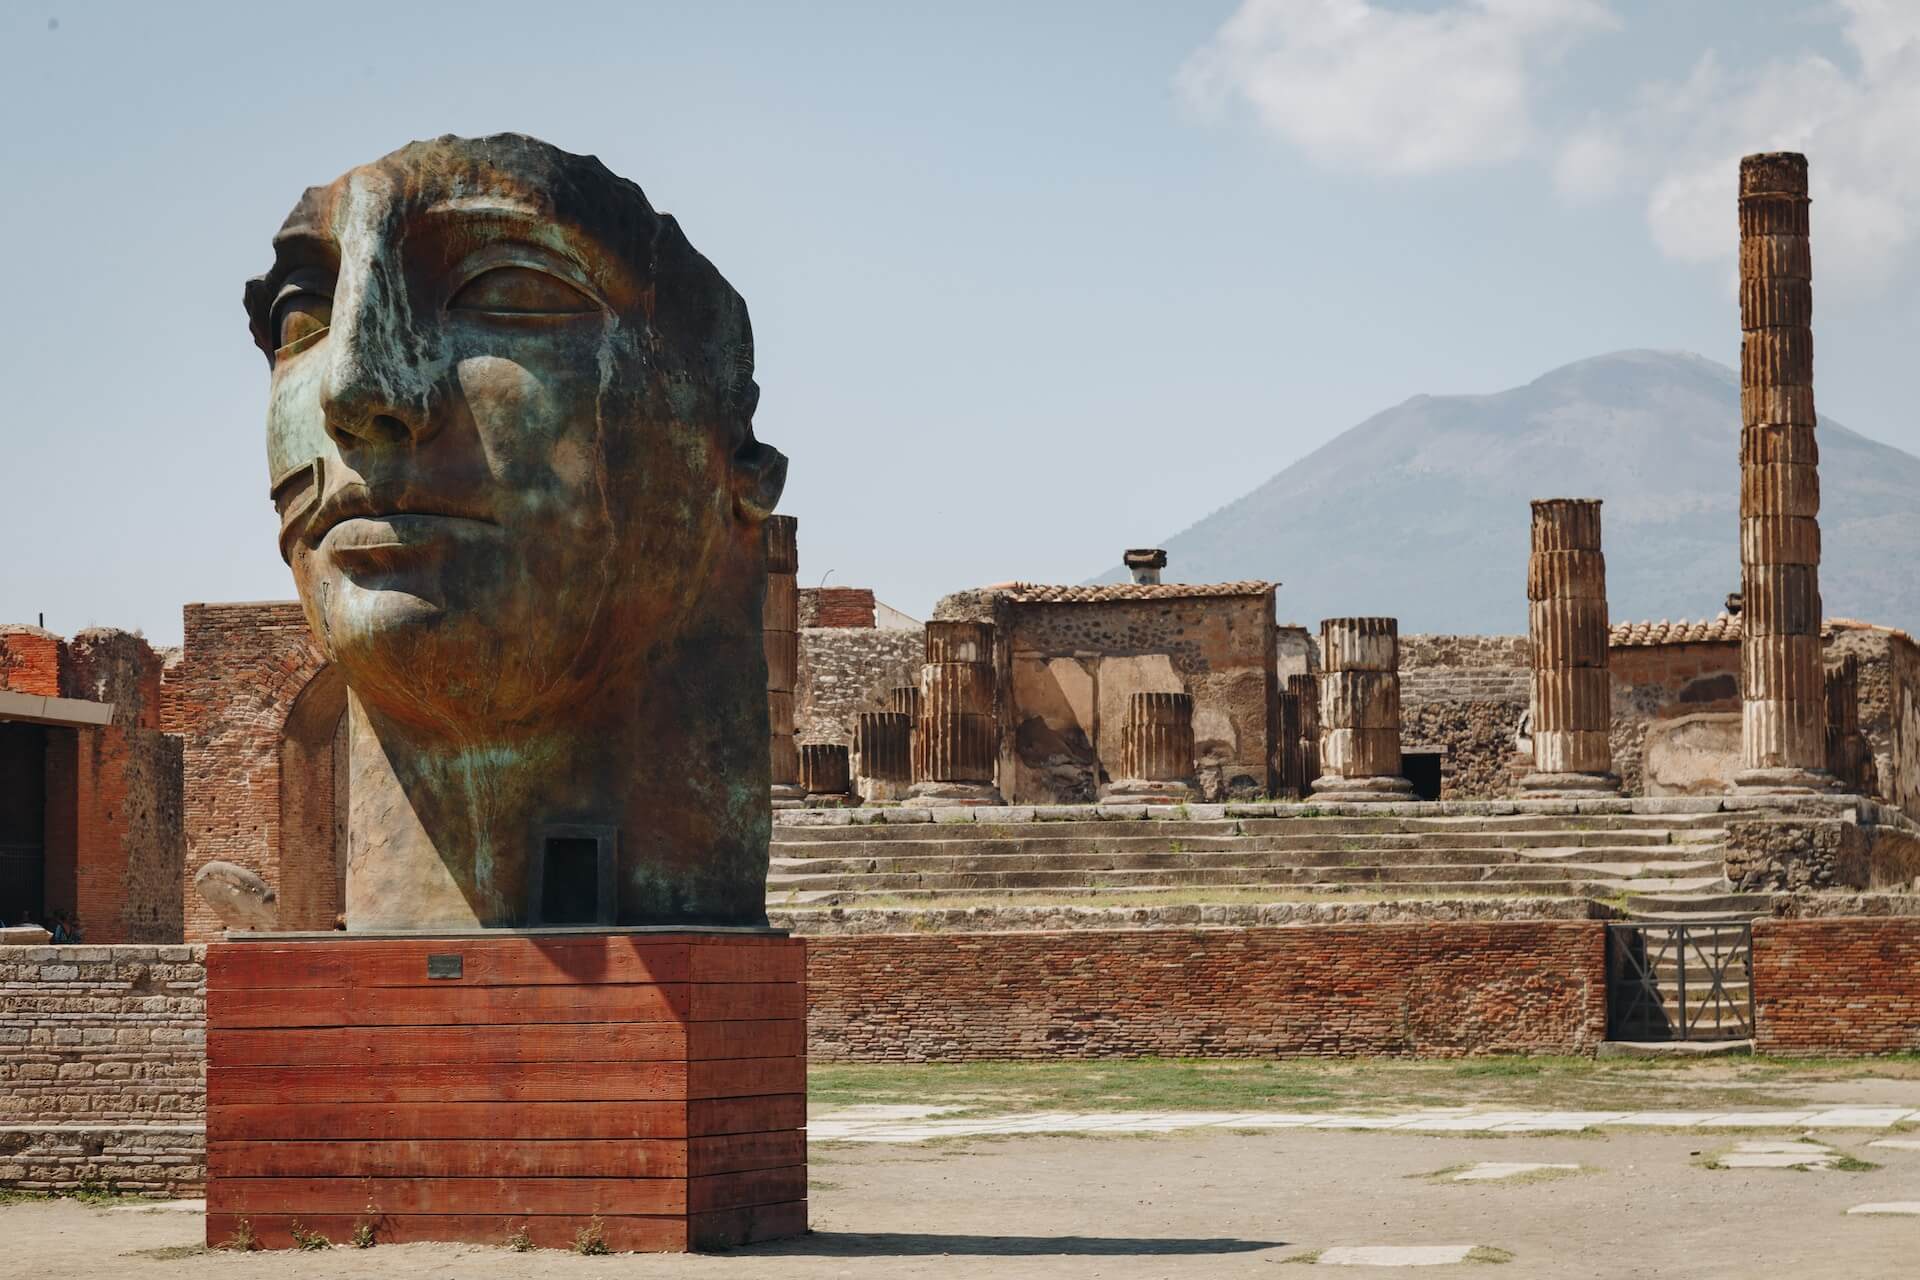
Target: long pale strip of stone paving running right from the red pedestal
pixel 926 1124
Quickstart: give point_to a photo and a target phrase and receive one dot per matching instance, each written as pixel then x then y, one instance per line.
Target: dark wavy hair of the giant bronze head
pixel 700 333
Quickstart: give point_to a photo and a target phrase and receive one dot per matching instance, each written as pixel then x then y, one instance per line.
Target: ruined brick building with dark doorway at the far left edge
pixel 89 788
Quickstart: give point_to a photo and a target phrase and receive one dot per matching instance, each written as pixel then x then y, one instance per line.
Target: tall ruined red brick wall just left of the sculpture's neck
pixel 229 699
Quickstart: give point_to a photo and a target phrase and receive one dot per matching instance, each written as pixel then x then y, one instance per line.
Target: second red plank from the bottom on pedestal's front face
pixel 454 1197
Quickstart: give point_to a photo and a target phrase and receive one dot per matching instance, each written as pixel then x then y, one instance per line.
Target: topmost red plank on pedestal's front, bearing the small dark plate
pixel 485 962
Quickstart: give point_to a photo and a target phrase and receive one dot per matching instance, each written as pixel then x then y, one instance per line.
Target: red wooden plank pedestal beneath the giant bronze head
pixel 654 1081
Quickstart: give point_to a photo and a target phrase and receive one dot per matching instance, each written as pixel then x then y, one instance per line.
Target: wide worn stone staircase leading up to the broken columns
pixel 1646 865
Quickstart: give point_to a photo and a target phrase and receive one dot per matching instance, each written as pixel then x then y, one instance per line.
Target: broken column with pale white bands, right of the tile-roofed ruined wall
pixel 1360 713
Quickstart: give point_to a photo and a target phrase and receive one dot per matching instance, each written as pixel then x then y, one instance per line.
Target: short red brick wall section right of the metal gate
pixel 1836 985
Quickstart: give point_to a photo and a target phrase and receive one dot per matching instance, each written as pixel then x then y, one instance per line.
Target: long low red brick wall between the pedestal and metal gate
pixel 1328 991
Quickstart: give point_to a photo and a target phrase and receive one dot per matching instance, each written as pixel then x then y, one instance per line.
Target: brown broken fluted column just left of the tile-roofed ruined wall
pixel 957 717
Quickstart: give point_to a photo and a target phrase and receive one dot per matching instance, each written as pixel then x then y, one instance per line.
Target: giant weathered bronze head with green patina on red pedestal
pixel 512 446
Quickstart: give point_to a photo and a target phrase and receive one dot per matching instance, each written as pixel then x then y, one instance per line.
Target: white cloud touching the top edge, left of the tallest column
pixel 1391 91
